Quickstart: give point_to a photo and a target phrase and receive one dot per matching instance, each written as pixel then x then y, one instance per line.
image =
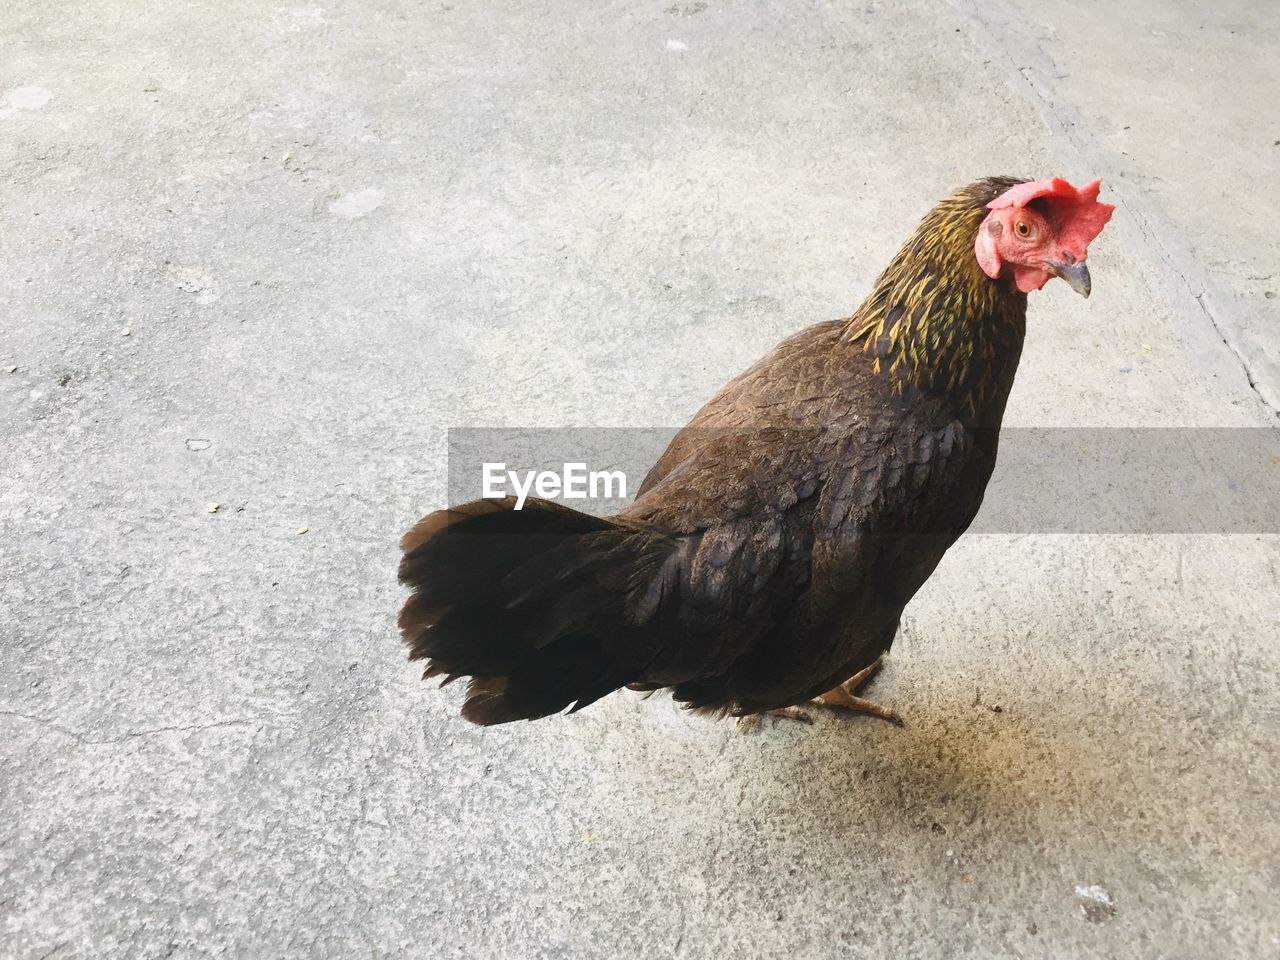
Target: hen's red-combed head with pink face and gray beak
pixel 1043 230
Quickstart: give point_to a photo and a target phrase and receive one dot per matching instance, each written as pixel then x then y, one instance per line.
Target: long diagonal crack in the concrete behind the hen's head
pixel 1031 63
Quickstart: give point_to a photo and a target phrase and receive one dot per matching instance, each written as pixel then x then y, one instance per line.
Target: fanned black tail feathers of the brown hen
pixel 543 607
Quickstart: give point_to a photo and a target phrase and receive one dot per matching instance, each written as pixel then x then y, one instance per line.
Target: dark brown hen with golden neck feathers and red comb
pixel 770 554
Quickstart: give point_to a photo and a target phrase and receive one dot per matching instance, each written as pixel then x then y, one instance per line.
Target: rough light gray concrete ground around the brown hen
pixel 264 255
